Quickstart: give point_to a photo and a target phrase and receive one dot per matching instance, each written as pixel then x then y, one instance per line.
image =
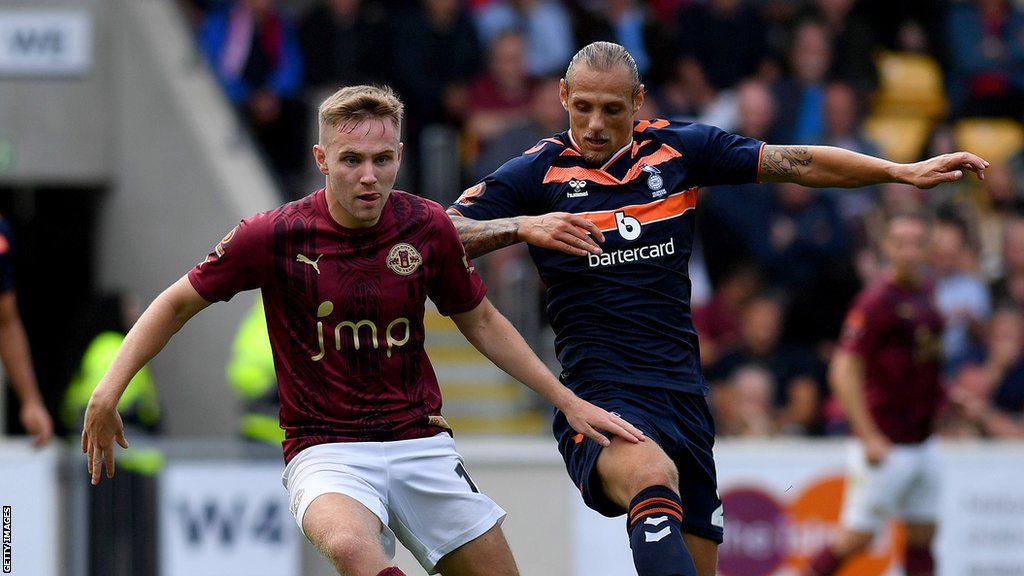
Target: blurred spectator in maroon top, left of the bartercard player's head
pixel 500 98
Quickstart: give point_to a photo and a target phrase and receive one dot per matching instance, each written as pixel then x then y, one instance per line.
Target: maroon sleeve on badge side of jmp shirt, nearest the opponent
pixel 455 287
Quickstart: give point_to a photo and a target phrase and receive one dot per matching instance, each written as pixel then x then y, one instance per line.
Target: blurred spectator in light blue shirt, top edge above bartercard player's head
pixel 545 24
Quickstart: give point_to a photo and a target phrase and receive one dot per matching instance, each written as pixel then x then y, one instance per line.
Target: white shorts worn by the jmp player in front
pixel 418 488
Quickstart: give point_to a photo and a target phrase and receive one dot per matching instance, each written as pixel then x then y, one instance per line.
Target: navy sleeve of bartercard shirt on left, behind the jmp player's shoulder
pixel 504 194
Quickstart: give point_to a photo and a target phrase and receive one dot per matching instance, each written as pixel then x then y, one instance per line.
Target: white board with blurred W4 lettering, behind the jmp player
pixel 226 519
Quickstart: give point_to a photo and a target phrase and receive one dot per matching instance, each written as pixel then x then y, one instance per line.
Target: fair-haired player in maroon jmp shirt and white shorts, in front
pixel 345 275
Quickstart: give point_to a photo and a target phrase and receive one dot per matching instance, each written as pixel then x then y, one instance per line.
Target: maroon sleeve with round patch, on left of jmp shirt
pixel 238 263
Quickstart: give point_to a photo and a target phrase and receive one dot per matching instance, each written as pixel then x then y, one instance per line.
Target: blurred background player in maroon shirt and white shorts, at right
pixel 886 378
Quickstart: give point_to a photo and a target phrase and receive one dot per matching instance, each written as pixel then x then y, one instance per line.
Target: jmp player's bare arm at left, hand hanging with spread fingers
pixel 161 320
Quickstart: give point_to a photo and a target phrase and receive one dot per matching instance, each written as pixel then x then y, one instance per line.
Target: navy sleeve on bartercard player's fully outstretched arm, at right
pixel 718 157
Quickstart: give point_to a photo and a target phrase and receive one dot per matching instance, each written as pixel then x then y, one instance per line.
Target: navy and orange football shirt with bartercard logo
pixel 623 316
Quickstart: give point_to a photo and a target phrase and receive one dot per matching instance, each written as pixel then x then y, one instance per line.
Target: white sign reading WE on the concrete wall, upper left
pixel 46 43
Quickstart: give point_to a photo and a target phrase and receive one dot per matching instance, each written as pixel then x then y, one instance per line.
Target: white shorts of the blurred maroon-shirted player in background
pixel 906 485
